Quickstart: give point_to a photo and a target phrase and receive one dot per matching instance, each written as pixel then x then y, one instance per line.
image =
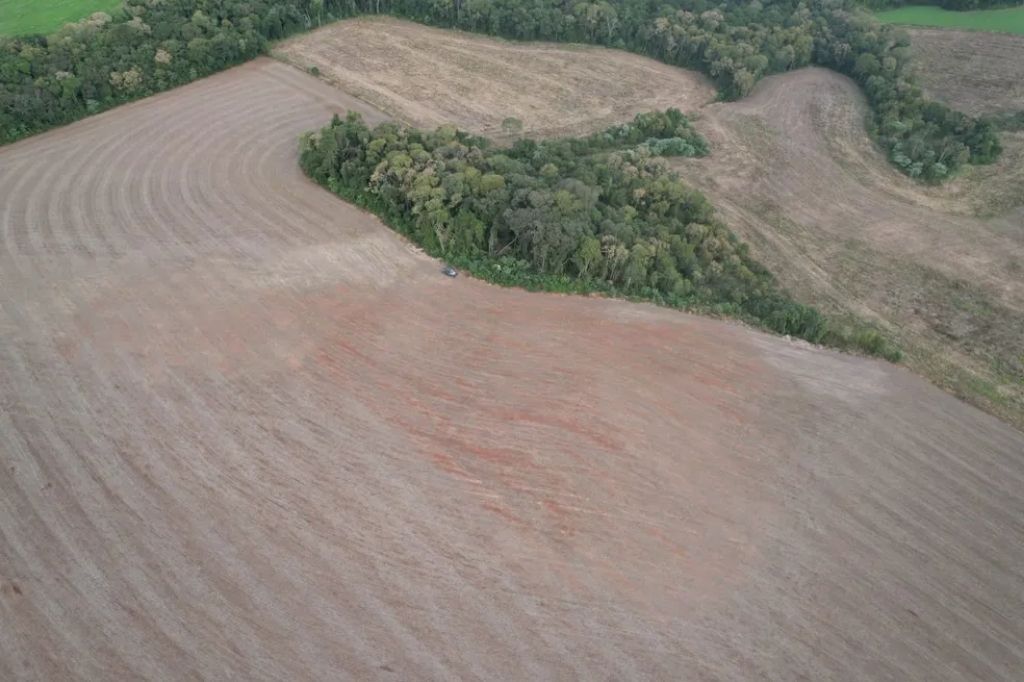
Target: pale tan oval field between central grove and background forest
pixel 431 77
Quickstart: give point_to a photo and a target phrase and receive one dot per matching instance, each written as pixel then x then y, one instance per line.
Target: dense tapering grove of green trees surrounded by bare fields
pixel 599 214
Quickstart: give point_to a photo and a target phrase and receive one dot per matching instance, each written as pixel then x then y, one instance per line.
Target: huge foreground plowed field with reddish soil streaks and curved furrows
pixel 247 433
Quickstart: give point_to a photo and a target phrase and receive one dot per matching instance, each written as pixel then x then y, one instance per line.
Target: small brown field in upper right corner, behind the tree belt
pixel 977 73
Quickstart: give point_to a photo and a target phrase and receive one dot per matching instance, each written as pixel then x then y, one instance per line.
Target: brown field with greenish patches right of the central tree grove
pixel 793 170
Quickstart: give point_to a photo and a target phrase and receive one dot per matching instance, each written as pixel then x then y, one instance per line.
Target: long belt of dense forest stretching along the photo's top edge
pixel 157 45
